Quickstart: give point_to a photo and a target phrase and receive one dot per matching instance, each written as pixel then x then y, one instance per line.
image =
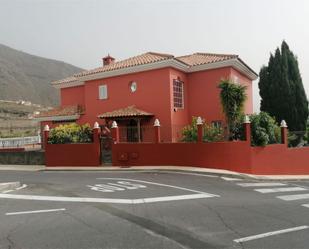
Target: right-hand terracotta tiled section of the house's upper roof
pixel 204 58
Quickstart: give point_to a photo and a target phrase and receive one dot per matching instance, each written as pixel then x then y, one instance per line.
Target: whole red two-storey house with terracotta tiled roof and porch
pixel 137 90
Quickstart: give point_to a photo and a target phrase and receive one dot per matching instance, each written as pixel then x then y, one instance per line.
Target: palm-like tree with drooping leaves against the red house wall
pixel 233 98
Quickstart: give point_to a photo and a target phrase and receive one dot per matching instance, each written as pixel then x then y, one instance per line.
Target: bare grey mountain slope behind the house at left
pixel 28 77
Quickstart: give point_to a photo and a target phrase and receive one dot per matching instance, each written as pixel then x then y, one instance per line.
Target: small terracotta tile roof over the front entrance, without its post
pixel 130 111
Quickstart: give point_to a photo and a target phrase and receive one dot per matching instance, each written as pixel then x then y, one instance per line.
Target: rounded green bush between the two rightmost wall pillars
pixel 264 130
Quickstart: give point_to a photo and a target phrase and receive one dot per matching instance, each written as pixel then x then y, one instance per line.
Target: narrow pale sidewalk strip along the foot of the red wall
pixel 219 172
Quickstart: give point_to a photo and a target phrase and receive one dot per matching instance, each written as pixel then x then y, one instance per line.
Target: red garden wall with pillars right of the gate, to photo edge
pixel 276 159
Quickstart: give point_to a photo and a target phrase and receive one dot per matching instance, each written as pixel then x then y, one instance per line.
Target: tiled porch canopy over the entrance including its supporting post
pixel 128 113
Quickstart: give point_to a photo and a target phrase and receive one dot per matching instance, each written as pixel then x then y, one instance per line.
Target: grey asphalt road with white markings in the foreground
pixel 151 210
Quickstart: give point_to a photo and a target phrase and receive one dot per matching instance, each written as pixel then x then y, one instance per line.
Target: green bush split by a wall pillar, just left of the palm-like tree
pixel 210 133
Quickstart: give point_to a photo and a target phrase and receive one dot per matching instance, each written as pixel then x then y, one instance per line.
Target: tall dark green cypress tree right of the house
pixel 282 91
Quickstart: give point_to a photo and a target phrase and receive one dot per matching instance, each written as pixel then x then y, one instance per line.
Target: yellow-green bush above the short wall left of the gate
pixel 70 133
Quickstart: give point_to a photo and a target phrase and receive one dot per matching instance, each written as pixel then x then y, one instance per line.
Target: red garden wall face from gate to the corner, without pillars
pixel 223 155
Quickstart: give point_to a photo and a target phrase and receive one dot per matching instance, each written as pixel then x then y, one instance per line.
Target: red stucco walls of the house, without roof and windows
pixel 154 94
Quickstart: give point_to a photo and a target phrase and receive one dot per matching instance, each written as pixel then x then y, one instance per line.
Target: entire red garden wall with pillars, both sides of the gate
pixel 237 156
